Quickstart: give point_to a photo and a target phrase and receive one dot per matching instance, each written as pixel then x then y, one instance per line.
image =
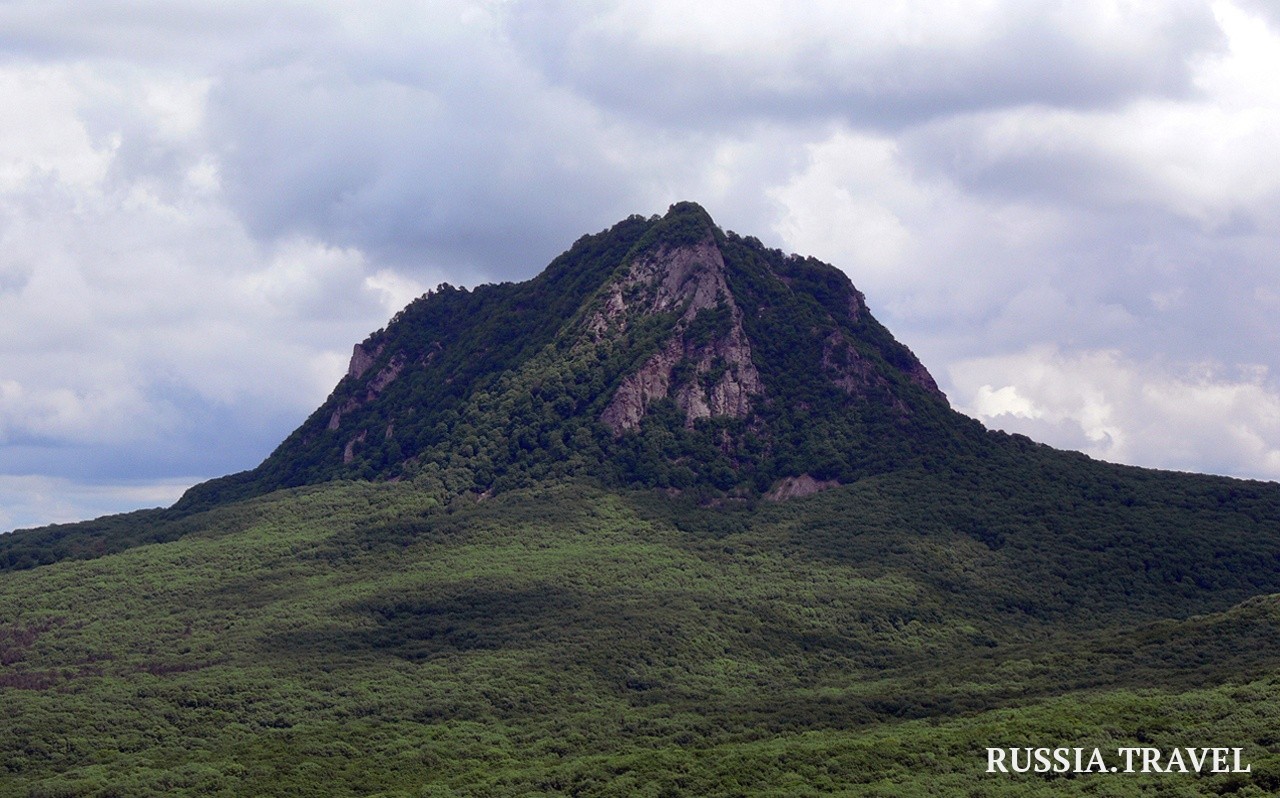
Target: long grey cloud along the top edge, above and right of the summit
pixel 876 66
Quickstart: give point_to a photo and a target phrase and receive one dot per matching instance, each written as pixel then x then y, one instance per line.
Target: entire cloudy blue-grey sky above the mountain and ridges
pixel 1069 211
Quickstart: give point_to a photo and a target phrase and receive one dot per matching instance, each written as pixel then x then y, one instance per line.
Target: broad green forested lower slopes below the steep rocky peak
pixel 356 639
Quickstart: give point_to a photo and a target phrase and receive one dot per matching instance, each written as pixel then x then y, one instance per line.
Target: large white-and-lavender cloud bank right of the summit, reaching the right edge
pixel 1149 226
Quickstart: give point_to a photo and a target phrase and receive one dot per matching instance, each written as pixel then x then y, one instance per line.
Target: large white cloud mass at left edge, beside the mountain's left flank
pixel 135 307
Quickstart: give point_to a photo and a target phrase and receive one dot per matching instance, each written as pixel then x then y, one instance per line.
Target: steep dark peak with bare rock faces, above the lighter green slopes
pixel 662 352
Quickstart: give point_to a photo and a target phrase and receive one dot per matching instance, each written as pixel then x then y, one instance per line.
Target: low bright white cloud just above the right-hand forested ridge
pixel 1142 413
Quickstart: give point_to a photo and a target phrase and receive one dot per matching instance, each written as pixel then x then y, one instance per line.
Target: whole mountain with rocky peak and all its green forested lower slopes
pixel 536 544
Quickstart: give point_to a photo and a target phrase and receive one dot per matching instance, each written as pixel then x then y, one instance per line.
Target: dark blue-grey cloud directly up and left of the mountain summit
pixel 491 184
